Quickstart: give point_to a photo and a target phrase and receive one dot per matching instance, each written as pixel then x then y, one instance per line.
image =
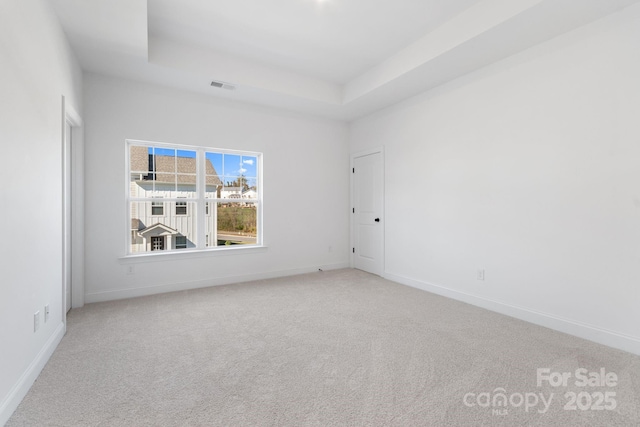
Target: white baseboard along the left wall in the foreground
pixel 20 389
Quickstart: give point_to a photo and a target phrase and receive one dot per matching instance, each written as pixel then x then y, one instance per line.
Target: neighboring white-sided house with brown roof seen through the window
pixel 168 223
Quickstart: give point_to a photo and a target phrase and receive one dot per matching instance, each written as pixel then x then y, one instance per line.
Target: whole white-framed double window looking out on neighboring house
pixel 216 194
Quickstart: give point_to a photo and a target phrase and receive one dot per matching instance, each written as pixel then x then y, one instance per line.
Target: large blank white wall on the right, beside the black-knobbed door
pixel 529 169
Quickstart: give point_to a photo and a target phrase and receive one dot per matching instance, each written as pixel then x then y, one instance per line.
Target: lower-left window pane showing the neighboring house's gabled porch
pixel 162 231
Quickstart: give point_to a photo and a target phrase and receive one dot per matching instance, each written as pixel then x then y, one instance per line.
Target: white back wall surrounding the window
pixel 305 186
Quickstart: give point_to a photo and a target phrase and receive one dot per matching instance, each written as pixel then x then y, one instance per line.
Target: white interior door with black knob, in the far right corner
pixel 368 205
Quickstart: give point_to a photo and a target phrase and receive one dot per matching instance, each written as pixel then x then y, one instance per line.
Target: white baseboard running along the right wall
pixel 593 333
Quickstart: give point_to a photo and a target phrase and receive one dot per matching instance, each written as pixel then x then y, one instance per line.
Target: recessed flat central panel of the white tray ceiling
pixel 333 40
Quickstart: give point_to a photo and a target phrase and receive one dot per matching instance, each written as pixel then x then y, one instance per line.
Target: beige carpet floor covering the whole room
pixel 337 348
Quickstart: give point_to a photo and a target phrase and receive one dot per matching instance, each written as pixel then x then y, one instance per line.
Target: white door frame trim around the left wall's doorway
pixel 73 174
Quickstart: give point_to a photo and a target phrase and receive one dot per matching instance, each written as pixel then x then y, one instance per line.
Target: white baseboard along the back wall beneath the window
pixel 215 281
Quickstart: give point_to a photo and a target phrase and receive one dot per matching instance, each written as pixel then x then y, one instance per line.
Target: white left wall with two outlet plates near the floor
pixel 37 69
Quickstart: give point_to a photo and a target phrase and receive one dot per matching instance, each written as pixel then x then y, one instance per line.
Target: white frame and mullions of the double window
pixel 199 202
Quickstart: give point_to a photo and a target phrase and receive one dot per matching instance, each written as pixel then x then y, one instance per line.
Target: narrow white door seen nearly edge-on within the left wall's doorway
pixel 66 213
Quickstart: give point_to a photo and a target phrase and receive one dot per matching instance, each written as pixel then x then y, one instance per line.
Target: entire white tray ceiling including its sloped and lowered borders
pixel 335 58
